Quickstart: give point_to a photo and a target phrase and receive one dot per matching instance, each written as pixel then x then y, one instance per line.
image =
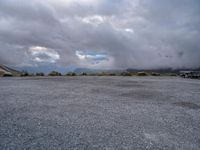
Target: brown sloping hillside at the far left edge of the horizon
pixel 6 71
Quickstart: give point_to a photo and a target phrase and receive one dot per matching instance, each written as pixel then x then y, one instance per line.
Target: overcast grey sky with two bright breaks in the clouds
pixel 100 34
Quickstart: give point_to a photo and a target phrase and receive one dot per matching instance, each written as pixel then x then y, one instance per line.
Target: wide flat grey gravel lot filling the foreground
pixel 111 113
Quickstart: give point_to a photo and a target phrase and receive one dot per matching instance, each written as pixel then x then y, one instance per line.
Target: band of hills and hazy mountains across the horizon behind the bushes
pixel 4 70
